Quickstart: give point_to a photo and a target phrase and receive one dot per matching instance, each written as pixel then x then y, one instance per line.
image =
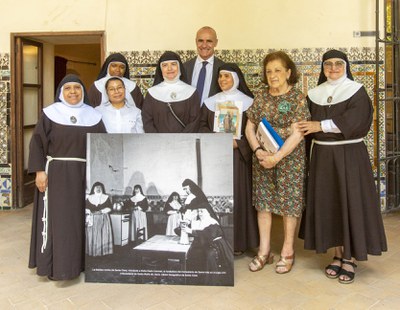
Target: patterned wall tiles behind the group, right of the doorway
pixel 308 61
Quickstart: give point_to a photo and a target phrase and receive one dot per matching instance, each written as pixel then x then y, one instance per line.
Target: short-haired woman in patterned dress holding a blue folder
pixel 278 179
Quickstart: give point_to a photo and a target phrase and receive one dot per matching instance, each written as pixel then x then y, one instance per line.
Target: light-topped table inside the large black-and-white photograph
pixel 162 247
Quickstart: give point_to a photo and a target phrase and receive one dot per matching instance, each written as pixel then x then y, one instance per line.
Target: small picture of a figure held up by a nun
pixel 228 118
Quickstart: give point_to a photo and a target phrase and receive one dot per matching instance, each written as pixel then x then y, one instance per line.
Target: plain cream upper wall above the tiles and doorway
pixel 171 24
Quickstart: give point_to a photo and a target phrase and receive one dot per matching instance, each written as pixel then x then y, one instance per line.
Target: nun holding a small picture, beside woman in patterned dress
pixel 233 88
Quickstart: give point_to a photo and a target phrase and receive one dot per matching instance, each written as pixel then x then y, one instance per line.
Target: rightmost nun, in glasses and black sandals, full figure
pixel 343 209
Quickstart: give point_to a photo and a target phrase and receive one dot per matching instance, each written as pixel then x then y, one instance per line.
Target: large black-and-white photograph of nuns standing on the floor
pixel 159 209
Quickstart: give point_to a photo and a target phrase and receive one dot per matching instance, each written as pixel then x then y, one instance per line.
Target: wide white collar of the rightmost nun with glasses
pixel 332 93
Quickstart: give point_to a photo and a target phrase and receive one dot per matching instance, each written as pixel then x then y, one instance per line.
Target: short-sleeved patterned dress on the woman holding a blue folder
pixel 280 190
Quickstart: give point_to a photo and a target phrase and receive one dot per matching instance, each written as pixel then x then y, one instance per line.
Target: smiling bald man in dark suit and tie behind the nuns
pixel 206 41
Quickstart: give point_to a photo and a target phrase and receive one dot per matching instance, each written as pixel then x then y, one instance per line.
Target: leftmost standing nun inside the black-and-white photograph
pixel 99 238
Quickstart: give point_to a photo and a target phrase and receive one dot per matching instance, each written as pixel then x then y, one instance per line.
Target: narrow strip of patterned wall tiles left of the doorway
pixel 5 165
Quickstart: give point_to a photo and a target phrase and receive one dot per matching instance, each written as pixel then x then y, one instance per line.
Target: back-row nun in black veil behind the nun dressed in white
pixel 114 65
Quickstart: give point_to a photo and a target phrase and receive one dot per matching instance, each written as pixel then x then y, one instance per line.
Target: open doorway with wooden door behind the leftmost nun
pixel 39 61
